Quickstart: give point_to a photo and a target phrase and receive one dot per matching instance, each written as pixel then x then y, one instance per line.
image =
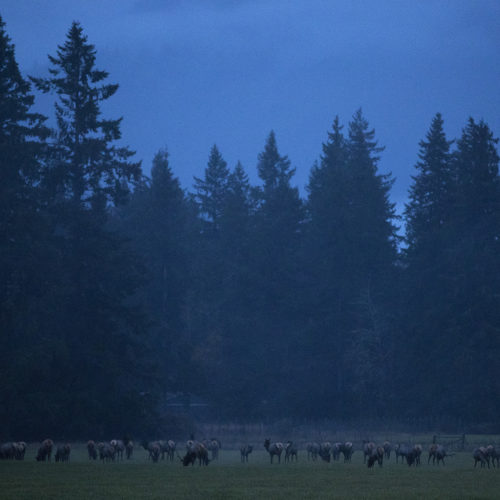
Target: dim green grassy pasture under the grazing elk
pixel 228 478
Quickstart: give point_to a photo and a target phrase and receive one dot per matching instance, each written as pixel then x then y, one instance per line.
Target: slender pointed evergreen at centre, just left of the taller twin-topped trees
pixel 275 250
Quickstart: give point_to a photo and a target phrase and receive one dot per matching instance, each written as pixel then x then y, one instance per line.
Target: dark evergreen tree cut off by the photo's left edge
pixel 24 249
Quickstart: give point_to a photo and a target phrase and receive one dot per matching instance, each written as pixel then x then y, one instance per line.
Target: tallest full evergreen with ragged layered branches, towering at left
pixel 93 333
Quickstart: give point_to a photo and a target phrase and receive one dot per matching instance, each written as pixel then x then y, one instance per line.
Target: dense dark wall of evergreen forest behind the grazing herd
pixel 117 288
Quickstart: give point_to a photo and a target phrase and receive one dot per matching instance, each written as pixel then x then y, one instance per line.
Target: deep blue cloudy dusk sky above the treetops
pixel 194 73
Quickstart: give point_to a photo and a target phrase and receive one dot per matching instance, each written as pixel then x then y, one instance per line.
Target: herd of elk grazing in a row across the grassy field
pixel 203 452
